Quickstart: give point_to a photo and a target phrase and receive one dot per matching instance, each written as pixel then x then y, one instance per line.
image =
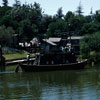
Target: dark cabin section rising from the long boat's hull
pixel 55 58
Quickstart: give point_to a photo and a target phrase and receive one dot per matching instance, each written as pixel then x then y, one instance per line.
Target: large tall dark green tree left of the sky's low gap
pixel 28 20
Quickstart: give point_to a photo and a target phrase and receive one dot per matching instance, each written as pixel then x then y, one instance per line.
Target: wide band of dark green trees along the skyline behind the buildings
pixel 29 21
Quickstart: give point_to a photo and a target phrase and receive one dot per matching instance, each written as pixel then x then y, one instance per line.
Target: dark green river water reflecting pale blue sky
pixel 57 85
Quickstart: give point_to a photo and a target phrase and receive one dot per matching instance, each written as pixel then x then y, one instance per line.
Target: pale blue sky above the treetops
pixel 50 7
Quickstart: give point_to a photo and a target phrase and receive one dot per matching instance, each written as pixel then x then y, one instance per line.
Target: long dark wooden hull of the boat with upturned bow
pixel 37 68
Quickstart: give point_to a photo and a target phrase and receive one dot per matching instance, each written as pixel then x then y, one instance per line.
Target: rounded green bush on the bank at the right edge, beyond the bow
pixel 90 47
